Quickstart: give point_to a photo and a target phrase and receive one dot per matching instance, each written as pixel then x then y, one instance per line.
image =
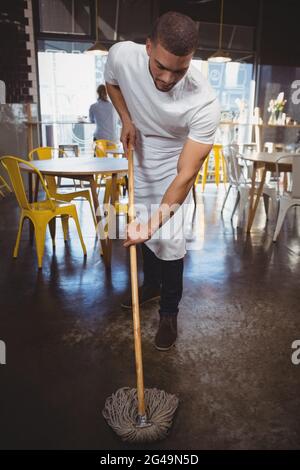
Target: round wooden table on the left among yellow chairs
pixel 85 169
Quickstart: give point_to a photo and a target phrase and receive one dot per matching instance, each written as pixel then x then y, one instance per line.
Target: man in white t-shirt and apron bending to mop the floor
pixel 169 115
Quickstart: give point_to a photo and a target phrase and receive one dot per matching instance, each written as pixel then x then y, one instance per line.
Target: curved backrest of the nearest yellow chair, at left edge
pixel 12 166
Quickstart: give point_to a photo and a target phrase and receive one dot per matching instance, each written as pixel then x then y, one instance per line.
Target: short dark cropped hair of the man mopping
pixel 177 33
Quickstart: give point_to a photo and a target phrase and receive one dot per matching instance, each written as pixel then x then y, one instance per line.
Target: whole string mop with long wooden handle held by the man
pixel 138 415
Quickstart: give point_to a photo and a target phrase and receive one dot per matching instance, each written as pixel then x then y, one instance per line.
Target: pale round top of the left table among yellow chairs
pixel 79 166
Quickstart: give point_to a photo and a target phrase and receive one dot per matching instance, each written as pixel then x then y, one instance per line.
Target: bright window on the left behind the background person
pixel 68 80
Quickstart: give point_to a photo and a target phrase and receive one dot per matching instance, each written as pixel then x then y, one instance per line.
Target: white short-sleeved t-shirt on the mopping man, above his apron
pixel 190 109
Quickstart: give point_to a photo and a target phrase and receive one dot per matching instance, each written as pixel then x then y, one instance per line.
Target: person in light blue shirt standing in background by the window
pixel 102 113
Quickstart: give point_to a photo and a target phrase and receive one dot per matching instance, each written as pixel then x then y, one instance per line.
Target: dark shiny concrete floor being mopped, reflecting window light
pixel 69 344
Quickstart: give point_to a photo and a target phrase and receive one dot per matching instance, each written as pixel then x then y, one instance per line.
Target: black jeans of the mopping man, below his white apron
pixel 166 275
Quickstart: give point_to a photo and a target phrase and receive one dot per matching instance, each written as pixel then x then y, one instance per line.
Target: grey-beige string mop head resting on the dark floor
pixel 121 413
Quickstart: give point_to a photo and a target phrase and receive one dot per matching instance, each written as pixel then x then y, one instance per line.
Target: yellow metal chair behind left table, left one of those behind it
pixel 46 153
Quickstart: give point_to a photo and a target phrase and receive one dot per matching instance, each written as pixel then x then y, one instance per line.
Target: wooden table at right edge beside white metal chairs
pixel 265 162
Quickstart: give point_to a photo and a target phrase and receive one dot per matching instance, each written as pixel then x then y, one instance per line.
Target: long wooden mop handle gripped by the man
pixel 135 295
